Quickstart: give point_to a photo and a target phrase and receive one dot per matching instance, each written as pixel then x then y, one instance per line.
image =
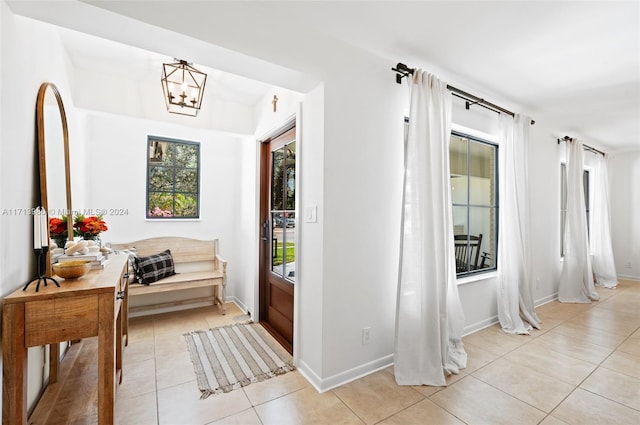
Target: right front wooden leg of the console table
pixel 106 359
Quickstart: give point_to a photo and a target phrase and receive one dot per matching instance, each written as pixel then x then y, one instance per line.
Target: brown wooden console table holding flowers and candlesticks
pixel 94 305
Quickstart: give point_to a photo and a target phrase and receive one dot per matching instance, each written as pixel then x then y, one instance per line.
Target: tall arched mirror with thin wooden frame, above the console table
pixel 53 148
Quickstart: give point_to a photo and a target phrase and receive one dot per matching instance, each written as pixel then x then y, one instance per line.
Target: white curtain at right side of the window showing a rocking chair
pixel 515 297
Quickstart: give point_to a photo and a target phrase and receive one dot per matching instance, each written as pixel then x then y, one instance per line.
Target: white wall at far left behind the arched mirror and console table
pixel 30 54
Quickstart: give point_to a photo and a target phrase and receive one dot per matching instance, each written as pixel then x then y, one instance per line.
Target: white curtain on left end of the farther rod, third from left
pixel 576 281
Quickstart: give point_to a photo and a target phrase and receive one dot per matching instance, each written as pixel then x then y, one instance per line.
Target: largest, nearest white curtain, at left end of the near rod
pixel 429 317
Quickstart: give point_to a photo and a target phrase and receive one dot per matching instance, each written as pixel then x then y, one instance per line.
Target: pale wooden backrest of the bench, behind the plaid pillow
pixel 183 250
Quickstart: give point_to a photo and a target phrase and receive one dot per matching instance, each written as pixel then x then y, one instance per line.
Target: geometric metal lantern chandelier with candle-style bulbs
pixel 183 87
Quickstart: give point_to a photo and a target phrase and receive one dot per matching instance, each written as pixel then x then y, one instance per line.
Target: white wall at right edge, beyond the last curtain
pixel 624 183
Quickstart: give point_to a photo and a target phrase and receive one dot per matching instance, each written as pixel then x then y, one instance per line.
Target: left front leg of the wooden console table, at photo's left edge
pixel 14 365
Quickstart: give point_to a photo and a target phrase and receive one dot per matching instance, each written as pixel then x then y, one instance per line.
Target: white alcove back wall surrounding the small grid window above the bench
pixel 115 173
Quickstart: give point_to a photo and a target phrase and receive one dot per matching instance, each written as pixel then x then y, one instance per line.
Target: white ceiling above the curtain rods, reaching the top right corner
pixel 573 64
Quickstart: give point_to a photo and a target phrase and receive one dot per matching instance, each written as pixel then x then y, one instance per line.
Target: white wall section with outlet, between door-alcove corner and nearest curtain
pixel 362 174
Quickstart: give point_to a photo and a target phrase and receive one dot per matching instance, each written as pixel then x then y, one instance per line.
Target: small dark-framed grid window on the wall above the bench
pixel 173 178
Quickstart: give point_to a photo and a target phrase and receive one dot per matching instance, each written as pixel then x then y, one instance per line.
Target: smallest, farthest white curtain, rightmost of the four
pixel 604 267
